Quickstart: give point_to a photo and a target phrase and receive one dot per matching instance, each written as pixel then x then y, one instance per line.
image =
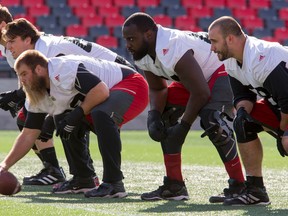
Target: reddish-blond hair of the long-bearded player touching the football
pixel 31 58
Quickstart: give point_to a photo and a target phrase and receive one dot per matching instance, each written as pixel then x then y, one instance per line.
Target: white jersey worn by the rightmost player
pixel 259 59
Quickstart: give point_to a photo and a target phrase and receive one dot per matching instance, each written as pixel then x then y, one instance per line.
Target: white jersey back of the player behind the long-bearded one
pixel 52 46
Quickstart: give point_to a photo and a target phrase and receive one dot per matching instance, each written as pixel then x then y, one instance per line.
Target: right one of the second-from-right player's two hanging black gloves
pixel 176 134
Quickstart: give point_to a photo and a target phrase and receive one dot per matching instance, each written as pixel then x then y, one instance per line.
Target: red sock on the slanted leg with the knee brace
pixel 234 169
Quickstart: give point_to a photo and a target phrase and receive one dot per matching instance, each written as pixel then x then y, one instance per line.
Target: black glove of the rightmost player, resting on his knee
pixel 240 119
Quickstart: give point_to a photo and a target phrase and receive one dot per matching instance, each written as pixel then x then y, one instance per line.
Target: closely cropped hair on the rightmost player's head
pixel 228 25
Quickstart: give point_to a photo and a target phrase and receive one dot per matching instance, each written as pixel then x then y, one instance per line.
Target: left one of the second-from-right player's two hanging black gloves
pixel 155 125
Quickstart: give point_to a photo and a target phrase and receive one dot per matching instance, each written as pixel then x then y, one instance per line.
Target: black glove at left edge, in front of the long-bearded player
pixel 12 101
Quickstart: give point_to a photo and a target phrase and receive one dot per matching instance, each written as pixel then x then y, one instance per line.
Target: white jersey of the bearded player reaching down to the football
pixel 62 73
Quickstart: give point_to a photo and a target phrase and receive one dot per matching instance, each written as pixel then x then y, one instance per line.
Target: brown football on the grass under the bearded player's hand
pixel 9 184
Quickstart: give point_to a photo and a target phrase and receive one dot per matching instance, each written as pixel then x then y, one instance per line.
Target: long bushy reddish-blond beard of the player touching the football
pixel 36 91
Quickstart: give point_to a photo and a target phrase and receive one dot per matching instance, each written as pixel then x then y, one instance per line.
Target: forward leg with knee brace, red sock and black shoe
pixel 222 137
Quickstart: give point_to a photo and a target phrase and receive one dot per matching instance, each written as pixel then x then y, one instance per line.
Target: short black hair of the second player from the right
pixel 143 21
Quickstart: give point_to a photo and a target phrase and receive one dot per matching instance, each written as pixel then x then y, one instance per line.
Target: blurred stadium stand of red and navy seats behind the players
pixel 94 19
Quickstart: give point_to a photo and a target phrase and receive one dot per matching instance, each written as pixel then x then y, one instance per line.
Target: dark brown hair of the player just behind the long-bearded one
pixel 22 28
